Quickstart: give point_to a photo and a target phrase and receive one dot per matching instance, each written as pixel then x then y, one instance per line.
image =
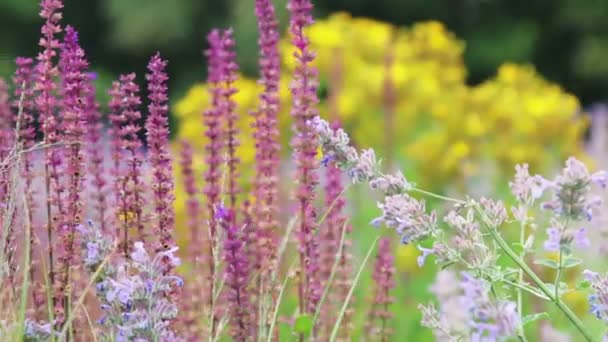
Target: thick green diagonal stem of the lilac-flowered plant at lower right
pixel 541 285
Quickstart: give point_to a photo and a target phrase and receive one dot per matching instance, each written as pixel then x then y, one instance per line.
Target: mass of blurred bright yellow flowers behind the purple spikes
pixel 403 92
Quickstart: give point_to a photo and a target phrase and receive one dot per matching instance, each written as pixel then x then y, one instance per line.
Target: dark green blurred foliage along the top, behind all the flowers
pixel 567 40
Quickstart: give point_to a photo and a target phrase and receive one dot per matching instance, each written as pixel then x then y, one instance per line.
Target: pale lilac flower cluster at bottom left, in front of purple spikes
pixel 135 296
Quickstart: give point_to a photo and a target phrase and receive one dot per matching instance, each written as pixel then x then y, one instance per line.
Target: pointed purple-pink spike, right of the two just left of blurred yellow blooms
pixel 157 127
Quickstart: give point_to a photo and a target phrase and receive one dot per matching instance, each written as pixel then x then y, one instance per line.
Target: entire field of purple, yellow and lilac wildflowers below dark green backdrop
pixel 357 188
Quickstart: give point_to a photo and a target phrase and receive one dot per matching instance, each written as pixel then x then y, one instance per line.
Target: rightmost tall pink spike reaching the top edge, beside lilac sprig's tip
pixel 304 108
